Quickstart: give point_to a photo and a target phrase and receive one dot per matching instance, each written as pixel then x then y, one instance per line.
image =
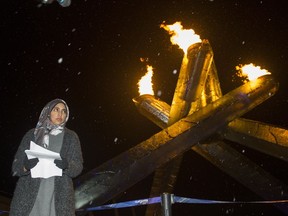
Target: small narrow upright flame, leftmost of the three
pixel 145 84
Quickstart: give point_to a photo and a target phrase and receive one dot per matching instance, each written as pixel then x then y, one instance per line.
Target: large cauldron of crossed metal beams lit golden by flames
pixel 198 112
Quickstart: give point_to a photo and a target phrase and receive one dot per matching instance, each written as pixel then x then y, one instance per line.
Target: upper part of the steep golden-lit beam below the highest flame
pixel 191 81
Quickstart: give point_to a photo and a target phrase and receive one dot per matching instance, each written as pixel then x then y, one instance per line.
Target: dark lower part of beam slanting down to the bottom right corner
pixel 244 171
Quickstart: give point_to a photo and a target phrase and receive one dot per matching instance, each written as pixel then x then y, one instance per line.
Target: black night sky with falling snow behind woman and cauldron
pixel 89 55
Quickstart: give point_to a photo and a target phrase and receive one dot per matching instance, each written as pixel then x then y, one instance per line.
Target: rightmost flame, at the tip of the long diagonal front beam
pixel 251 72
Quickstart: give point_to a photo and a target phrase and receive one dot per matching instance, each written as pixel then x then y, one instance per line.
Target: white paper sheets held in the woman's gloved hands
pixel 45 168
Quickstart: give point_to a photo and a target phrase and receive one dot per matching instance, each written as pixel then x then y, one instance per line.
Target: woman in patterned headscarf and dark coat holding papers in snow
pixel 52 196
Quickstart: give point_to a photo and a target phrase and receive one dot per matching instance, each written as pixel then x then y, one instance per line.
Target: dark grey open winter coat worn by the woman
pixel 27 187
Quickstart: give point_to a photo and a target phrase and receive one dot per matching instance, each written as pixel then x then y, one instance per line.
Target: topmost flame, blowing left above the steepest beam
pixel 181 37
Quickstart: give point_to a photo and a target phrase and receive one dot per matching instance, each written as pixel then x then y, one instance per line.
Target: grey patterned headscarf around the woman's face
pixel 45 127
